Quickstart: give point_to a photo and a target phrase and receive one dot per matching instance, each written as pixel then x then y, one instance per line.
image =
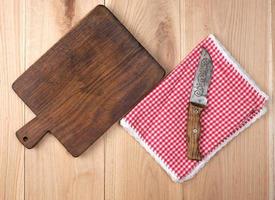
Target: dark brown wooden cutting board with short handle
pixel 86 82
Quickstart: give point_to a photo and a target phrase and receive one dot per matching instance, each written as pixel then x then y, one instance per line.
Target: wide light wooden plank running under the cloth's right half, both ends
pixel 239 171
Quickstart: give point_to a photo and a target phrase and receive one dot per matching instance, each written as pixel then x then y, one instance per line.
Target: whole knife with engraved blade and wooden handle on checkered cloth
pixel 198 102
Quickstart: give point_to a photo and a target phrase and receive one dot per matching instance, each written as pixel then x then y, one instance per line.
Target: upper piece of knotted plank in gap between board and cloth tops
pixel 155 24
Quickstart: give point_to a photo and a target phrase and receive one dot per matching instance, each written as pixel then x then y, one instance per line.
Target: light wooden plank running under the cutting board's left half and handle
pixel 52 173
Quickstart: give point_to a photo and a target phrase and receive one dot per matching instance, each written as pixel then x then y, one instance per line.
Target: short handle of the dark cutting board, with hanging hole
pixel 32 132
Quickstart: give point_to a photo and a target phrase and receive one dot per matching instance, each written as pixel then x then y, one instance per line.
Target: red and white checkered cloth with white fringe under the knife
pixel 159 121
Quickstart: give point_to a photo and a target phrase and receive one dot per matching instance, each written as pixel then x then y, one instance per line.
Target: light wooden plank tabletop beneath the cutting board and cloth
pixel 117 167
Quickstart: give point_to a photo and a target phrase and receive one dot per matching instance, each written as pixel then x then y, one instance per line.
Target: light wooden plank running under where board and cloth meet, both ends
pixel 131 173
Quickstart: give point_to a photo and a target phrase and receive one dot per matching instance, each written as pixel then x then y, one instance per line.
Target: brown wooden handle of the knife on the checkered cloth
pixel 193 132
